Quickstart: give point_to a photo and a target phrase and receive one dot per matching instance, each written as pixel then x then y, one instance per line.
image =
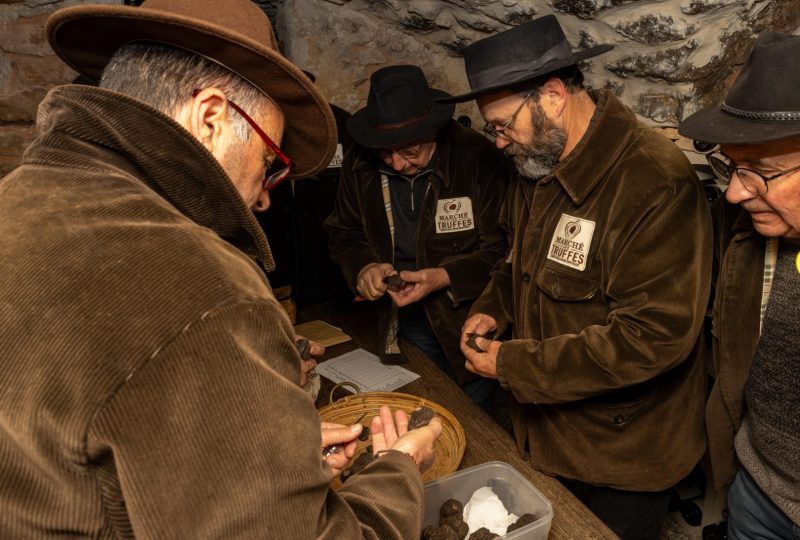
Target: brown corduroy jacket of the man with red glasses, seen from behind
pixel 149 380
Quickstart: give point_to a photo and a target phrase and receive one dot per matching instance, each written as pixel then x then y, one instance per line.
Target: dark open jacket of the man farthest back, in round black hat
pixel 468 165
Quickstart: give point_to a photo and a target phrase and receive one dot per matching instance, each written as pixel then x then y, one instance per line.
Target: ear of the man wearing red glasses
pixel 205 116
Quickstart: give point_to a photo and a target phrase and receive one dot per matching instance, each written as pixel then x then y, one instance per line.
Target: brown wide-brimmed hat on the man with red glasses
pixel 234 33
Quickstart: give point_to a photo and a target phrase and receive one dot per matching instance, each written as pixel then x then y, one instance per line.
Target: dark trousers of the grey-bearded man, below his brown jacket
pixel 632 515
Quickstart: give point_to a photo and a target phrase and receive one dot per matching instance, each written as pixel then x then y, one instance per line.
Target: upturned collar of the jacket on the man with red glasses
pixel 110 130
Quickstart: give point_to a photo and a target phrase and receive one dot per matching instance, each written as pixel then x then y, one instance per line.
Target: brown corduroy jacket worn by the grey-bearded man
pixel 606 290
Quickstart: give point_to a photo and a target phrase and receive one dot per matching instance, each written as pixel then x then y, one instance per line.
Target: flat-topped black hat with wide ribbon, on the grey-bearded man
pixel 517 55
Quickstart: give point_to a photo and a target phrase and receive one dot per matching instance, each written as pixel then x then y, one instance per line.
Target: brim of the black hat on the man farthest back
pixel 370 137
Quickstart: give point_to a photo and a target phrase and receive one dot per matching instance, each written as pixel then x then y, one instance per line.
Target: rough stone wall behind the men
pixel 671 58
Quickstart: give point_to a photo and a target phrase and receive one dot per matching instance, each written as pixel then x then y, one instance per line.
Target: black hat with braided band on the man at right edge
pixel 763 104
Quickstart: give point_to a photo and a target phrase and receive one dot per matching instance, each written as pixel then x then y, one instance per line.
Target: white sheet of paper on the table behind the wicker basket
pixel 365 370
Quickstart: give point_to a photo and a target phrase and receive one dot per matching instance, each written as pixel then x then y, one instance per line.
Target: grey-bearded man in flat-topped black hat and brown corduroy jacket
pixel 606 285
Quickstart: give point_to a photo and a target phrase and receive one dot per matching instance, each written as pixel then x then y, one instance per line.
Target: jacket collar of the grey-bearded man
pixel 609 133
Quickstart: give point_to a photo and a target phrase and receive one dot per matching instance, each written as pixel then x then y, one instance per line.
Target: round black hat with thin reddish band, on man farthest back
pixel 401 108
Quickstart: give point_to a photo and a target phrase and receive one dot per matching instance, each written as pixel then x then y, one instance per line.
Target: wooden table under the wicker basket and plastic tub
pixel 486 440
